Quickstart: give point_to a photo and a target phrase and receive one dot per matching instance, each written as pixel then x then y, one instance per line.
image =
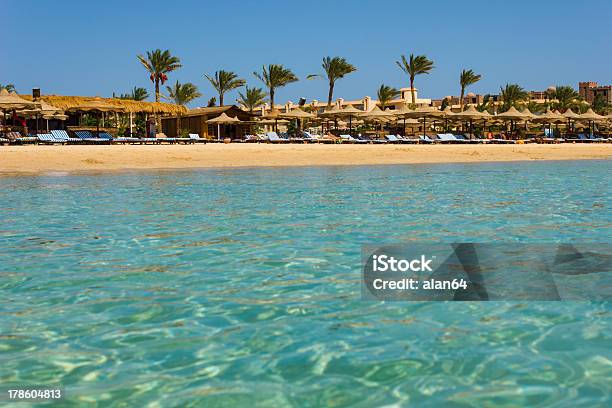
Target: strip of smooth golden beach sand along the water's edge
pixel 37 159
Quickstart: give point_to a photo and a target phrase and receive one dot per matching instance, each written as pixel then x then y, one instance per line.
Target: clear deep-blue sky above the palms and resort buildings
pixel 90 48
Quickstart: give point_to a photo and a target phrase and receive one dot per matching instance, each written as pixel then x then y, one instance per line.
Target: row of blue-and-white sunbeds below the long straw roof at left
pixel 88 137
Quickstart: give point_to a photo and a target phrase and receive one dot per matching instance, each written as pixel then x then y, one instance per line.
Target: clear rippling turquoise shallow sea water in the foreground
pixel 241 287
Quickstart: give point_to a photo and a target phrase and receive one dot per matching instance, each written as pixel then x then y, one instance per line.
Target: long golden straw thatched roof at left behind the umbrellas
pixel 127 105
